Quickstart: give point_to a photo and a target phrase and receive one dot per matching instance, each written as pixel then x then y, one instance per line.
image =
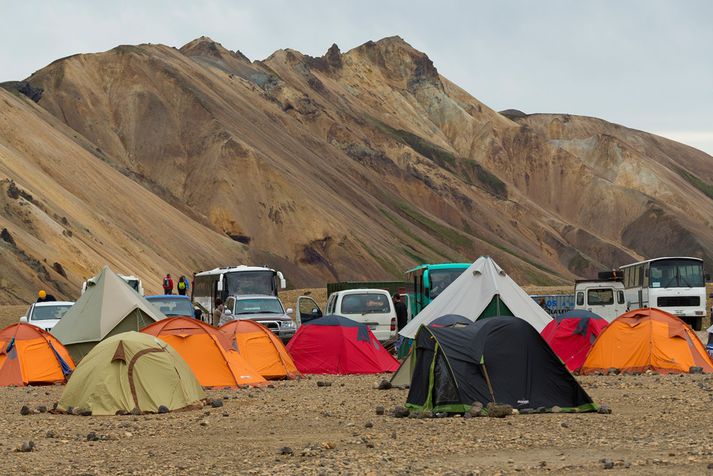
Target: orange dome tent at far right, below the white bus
pixel 647 339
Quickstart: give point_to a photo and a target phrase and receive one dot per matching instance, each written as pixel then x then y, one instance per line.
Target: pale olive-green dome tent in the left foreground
pixel 128 371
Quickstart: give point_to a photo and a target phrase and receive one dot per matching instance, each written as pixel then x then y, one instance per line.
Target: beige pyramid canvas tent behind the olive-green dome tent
pixel 107 308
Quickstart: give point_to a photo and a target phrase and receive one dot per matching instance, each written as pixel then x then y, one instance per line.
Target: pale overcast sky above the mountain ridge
pixel 645 64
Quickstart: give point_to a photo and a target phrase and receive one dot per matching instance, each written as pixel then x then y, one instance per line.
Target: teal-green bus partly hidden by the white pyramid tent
pixel 428 281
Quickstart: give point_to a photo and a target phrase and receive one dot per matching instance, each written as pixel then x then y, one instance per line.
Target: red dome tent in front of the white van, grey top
pixel 337 345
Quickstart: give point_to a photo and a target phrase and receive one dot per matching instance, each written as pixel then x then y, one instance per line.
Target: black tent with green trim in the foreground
pixel 501 359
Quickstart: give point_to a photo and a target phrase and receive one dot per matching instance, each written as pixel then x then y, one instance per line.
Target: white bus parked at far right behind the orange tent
pixel 676 285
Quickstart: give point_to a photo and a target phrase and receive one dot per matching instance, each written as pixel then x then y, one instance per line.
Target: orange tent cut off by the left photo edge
pixel 31 356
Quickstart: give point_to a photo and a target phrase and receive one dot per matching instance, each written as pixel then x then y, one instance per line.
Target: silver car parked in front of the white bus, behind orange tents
pixel 267 310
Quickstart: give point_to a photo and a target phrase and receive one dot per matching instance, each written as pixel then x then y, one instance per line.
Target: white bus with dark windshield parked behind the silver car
pixel 235 281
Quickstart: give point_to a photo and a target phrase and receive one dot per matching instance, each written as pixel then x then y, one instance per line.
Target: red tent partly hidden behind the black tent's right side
pixel 572 334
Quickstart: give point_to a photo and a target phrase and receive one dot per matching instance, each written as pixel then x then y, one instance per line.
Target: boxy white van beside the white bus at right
pixel 602 297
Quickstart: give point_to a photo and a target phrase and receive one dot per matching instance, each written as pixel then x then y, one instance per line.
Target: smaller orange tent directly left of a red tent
pixel 259 346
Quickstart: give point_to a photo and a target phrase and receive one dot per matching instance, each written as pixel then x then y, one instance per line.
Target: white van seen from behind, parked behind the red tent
pixel 372 307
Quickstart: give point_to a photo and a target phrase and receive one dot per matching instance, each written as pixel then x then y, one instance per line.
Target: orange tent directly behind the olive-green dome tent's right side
pixel 204 350
